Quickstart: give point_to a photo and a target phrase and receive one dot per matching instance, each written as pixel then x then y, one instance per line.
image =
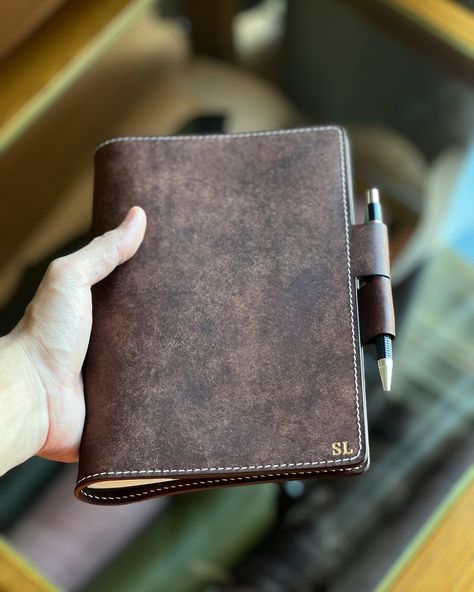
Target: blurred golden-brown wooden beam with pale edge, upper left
pixel 32 77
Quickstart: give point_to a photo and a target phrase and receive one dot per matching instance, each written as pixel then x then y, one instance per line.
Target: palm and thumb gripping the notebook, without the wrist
pixel 56 328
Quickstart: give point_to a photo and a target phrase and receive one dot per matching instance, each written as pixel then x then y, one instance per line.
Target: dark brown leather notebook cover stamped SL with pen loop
pixel 227 351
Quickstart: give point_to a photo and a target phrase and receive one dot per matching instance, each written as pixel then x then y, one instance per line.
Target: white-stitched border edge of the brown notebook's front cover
pixel 340 136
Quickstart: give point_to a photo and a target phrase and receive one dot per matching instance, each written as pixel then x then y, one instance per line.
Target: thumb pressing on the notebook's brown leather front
pixel 101 256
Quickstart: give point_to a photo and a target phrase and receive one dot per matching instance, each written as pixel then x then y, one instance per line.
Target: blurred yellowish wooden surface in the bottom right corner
pixel 442 557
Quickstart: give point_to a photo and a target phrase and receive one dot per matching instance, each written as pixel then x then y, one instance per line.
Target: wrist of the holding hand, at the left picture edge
pixel 23 404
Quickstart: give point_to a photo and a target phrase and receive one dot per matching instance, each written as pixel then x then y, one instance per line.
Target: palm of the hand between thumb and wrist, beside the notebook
pixel 59 321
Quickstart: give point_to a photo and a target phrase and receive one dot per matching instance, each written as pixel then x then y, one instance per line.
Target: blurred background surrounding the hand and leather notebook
pixel 399 75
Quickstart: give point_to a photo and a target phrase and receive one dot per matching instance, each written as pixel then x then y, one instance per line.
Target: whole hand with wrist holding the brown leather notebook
pixel 43 397
